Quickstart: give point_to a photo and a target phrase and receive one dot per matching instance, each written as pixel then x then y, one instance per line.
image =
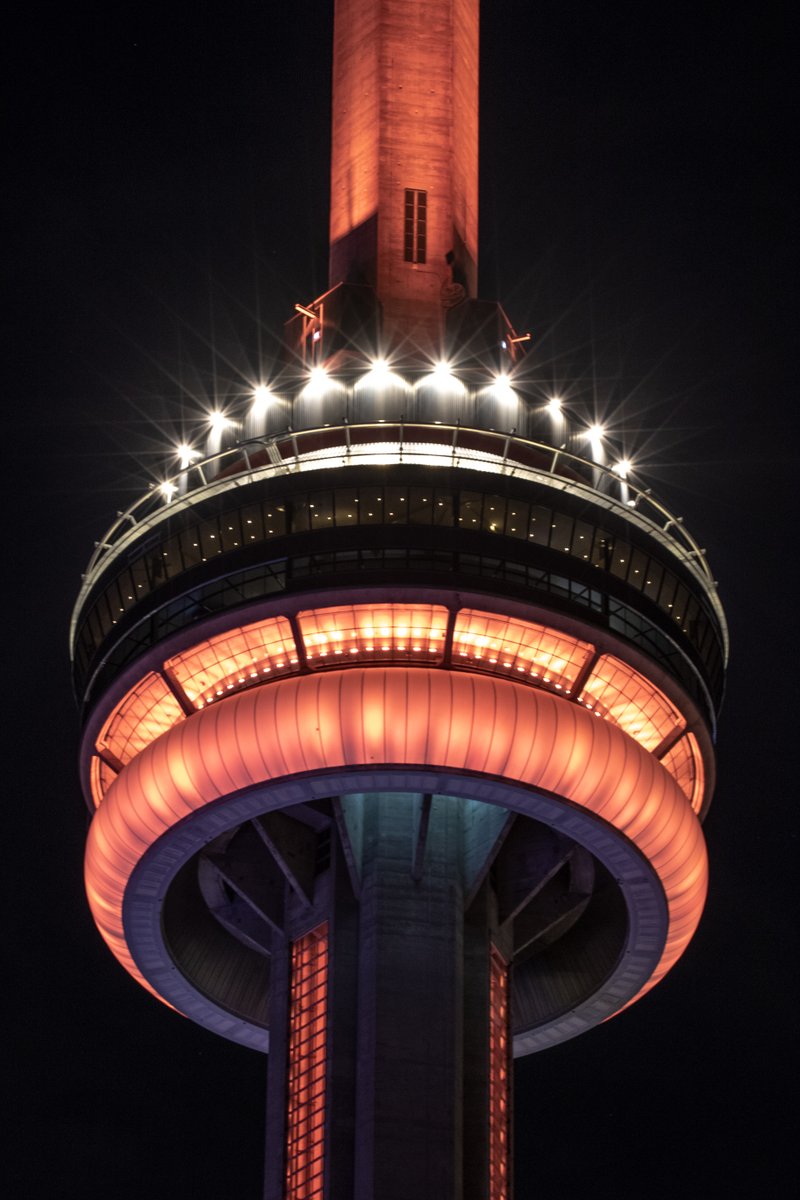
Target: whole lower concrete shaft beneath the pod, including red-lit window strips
pixel 383 1016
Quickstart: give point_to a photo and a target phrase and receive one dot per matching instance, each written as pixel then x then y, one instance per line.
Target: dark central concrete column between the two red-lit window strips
pixel 410 1075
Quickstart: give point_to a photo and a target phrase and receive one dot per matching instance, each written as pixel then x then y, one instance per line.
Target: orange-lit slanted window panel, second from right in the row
pixel 624 697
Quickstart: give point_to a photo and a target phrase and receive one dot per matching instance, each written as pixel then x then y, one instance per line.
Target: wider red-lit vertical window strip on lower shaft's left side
pixel 308 1063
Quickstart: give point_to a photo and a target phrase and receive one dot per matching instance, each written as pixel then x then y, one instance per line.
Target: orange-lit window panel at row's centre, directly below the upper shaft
pixel 393 632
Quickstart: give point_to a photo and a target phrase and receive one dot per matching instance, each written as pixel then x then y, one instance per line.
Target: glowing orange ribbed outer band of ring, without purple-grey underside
pixel 477 724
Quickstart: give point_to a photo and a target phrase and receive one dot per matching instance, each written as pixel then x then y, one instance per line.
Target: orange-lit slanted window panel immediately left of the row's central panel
pixel 236 661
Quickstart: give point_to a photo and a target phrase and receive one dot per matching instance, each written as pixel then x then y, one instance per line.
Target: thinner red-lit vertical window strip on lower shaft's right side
pixel 500 1078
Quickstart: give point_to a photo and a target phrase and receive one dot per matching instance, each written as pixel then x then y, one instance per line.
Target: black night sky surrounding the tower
pixel 167 195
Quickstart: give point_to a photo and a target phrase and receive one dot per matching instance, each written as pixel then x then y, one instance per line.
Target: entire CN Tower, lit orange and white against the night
pixel 400 694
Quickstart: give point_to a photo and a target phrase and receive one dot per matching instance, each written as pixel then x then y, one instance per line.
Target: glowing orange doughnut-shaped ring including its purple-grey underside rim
pixel 484 737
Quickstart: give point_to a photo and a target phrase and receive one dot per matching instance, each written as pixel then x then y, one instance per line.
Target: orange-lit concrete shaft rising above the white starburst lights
pixel 405 160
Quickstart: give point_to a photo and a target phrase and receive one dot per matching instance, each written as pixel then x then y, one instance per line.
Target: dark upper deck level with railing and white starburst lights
pixel 371 477
